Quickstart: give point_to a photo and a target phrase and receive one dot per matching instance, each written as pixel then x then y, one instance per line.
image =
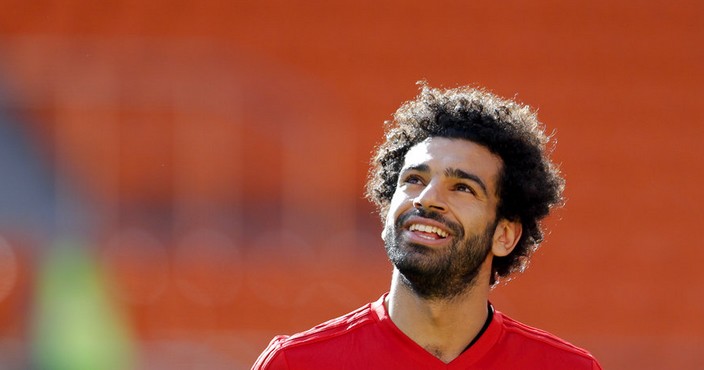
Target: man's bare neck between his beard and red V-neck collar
pixel 443 327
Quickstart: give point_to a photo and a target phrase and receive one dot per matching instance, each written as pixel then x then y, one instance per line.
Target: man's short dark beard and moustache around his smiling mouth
pixel 437 274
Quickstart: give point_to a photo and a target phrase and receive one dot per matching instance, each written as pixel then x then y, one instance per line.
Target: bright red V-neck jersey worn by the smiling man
pixel 368 339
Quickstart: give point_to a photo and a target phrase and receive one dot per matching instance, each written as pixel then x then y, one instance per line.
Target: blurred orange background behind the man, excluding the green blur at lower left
pixel 213 156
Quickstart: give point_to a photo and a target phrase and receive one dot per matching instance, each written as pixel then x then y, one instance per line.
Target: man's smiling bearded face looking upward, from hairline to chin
pixel 441 219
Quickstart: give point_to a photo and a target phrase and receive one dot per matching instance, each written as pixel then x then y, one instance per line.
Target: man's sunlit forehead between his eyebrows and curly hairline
pixel 440 154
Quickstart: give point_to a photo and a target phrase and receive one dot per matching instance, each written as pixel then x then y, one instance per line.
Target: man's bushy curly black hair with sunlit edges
pixel 529 184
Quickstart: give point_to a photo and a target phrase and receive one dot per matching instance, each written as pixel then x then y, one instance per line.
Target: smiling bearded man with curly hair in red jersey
pixel 462 181
